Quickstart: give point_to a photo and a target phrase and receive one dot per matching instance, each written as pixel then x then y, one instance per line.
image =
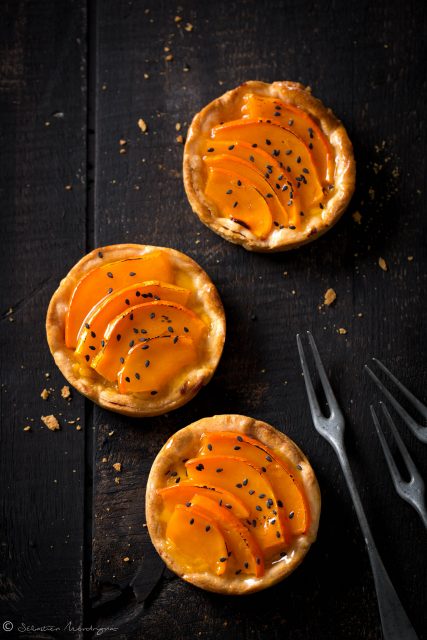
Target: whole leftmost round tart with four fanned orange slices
pixel 137 329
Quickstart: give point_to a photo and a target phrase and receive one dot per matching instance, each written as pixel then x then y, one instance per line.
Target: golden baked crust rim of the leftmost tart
pixel 98 389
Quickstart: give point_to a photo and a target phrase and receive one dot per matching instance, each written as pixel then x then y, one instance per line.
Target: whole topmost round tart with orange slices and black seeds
pixel 268 166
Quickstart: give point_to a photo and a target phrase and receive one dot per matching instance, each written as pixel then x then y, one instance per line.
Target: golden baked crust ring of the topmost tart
pixel 228 108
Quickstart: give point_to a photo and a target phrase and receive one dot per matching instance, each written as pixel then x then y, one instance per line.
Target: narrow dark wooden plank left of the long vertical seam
pixel 42 102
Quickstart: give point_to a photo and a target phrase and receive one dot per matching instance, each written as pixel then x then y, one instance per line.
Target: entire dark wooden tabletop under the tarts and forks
pixel 75 78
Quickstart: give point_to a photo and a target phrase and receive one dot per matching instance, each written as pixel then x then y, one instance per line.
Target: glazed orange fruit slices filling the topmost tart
pixel 272 168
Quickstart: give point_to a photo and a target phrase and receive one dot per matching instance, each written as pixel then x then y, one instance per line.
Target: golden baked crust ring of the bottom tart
pixel 184 445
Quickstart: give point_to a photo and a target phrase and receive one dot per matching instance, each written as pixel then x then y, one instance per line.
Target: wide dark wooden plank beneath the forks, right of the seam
pixel 363 61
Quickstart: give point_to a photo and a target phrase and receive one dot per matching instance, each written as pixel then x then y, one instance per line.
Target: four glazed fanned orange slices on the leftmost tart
pixel 133 325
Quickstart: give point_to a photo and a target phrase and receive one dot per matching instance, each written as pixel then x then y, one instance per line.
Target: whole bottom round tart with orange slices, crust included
pixel 232 504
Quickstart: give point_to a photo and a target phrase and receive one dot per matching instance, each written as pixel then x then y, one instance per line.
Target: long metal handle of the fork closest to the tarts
pixel 395 623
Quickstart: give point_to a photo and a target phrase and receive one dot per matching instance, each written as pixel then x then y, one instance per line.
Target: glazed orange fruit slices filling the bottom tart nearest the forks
pixel 251 494
